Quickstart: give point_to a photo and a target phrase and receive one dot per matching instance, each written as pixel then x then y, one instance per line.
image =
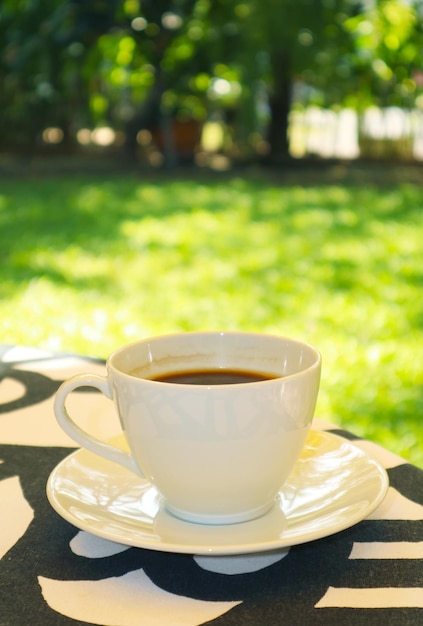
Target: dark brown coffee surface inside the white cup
pixel 208 377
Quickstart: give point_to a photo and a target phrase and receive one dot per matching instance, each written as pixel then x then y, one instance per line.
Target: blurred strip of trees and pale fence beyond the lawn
pixel 188 78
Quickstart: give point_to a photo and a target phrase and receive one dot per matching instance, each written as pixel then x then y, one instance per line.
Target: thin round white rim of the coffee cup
pixel 292 340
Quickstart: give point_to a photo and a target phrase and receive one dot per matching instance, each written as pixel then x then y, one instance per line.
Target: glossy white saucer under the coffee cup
pixel 333 486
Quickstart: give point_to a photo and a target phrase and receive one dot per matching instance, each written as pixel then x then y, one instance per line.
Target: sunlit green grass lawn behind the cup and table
pixel 90 262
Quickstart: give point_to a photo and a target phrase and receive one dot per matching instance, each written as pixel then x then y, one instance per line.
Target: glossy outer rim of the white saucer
pixel 205 549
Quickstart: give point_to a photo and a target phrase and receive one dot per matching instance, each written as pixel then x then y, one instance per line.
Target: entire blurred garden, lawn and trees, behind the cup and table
pixel 196 164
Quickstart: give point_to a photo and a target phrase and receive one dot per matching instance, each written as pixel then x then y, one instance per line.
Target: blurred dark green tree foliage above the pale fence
pixel 130 64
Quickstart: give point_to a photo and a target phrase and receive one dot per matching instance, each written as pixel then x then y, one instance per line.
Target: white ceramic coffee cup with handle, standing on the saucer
pixel 217 453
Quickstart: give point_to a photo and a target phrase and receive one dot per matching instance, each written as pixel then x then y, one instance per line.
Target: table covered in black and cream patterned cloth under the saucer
pixel 51 573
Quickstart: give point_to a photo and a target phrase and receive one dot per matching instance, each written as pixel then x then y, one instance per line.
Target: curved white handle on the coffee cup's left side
pixel 105 450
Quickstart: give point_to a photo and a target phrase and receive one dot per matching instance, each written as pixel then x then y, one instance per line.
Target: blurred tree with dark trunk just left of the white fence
pixel 298 41
